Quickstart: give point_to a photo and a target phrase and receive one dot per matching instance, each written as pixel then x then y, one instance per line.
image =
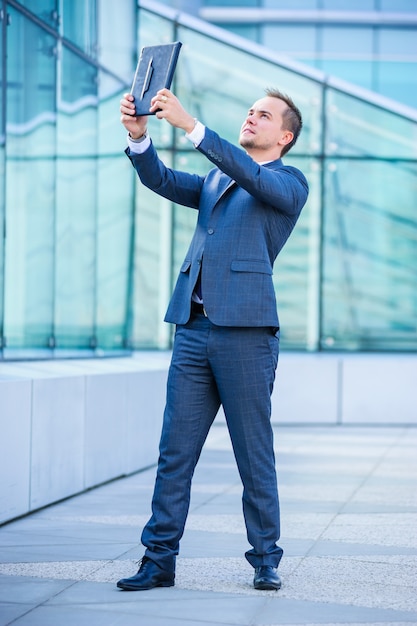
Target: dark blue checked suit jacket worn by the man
pixel 246 214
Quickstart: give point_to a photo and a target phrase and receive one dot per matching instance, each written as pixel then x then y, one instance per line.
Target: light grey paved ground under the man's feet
pixel 349 531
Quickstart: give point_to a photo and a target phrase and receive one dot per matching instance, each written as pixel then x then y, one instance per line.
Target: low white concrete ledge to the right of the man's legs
pixel 346 389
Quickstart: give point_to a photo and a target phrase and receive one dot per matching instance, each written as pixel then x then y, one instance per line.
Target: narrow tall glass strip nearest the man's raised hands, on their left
pixel 114 223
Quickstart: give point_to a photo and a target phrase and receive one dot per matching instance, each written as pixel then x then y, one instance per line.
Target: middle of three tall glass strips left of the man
pixel 76 218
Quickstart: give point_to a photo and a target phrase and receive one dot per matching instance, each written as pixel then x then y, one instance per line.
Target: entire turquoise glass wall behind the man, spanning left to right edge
pixel 88 257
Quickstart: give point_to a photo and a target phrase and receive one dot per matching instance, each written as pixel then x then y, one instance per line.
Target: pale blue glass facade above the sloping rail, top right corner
pixel 371 43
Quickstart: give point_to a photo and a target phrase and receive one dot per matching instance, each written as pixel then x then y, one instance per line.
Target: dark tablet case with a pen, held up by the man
pixel 154 71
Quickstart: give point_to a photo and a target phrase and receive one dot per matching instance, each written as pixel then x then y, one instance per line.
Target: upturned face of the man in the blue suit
pixel 263 126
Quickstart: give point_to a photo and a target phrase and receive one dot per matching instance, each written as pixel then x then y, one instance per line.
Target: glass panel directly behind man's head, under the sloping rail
pixel 237 79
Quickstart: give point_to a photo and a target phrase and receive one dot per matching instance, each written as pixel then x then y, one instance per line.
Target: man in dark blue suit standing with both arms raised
pixel 227 330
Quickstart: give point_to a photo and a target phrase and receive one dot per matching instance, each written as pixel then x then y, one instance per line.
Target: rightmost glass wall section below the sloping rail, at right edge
pixel 370 227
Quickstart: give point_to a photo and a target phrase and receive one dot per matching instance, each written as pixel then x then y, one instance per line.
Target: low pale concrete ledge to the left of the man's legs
pixel 71 425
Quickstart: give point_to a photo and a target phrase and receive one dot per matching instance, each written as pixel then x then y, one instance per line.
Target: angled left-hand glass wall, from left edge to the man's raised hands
pixel 65 267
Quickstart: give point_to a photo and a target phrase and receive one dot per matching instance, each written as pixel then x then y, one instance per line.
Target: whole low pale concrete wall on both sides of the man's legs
pixel 67 426
